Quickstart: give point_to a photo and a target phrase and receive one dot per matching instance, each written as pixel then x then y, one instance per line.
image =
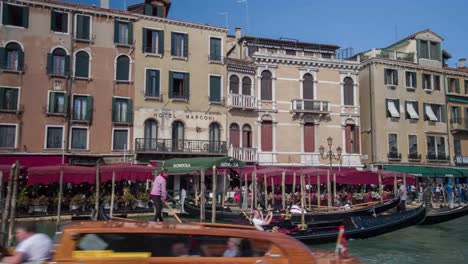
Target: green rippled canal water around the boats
pixel 444 243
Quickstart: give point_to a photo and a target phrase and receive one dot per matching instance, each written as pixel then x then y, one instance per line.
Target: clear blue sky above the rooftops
pixel 357 24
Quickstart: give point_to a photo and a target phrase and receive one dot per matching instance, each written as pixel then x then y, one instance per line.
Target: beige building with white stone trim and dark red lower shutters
pixel 285 98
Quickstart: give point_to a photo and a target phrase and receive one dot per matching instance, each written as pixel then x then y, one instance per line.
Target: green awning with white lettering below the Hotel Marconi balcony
pixel 190 165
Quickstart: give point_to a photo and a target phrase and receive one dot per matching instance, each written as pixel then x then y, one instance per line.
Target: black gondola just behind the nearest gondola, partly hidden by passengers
pixel 225 214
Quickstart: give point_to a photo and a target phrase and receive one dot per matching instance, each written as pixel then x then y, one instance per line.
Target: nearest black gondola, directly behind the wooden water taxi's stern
pixel 360 227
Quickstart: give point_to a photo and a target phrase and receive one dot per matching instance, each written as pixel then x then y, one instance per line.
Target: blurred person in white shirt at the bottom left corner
pixel 32 246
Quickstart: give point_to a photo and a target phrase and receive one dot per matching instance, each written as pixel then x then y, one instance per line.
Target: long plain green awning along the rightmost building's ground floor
pixel 423 171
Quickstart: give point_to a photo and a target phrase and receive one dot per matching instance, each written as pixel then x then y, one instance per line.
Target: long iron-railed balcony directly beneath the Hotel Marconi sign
pixel 144 145
